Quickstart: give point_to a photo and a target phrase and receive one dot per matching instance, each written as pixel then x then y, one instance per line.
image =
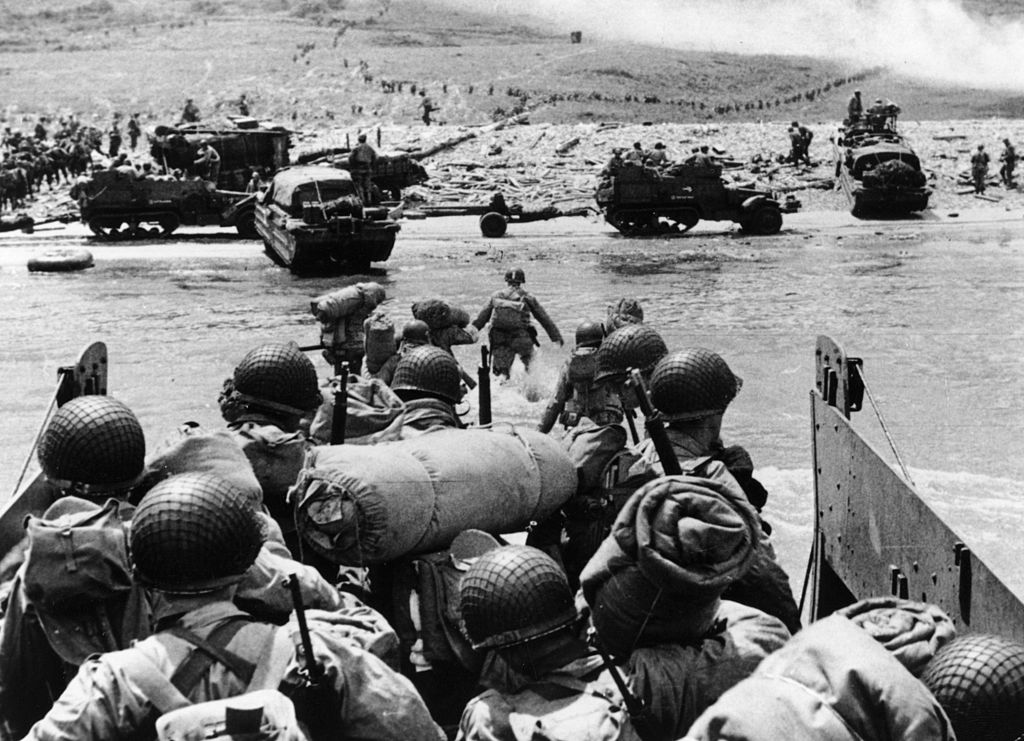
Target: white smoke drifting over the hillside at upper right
pixel 935 40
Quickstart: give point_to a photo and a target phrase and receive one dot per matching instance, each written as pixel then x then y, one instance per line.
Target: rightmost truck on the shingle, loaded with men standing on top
pixel 877 167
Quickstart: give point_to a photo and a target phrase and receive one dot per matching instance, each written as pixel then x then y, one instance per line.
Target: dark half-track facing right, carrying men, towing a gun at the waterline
pixel 644 201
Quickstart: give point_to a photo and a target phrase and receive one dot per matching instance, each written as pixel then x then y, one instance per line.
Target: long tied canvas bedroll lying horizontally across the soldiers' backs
pixel 367 505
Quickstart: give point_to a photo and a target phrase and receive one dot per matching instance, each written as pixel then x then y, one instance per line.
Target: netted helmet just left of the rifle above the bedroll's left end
pixel 278 377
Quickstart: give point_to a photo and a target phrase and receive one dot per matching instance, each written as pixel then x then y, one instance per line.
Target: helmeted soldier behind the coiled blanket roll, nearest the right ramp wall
pixel 693 389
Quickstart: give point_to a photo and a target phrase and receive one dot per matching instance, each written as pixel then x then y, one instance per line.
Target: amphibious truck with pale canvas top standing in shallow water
pixel 311 219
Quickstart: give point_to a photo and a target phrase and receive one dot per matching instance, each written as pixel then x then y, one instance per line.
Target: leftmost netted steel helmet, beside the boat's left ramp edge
pixel 93 445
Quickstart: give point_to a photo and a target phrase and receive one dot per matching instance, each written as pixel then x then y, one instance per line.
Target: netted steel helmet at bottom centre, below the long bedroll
pixel 513 595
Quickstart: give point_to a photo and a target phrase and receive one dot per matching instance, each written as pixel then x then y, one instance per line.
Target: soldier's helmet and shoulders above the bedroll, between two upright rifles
pixel 428 380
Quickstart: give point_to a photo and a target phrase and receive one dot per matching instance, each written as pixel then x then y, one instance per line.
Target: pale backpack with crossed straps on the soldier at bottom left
pixel 261 714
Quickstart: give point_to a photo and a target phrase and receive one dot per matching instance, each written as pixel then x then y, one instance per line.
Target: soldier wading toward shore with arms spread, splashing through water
pixel 509 312
